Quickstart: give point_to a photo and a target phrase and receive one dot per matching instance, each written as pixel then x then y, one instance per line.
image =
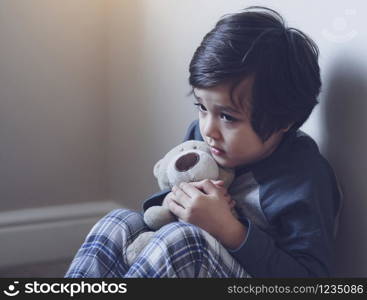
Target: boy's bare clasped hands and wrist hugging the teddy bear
pixel 207 205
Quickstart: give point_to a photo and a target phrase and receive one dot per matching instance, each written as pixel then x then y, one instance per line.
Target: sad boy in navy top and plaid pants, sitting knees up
pixel 255 82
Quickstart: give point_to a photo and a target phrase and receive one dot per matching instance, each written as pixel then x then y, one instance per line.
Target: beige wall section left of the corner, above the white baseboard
pixel 53 102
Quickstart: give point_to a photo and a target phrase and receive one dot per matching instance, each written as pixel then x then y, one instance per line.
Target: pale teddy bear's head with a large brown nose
pixel 187 162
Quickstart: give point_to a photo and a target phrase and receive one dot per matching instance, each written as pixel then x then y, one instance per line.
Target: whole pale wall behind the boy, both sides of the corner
pixel 94 92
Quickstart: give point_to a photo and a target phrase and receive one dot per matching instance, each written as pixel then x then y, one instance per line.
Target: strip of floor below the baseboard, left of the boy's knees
pixel 54 269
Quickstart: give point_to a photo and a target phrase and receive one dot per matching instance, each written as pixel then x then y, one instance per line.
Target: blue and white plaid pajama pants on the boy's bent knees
pixel 178 249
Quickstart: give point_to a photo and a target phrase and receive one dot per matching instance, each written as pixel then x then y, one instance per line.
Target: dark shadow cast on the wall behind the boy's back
pixel 345 108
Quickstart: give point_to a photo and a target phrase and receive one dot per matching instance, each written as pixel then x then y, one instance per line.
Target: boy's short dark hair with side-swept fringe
pixel 283 61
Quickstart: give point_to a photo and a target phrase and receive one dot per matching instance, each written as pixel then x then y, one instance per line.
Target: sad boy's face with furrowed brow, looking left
pixel 226 127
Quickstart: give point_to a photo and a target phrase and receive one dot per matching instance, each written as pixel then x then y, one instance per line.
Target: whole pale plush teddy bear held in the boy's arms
pixel 189 161
